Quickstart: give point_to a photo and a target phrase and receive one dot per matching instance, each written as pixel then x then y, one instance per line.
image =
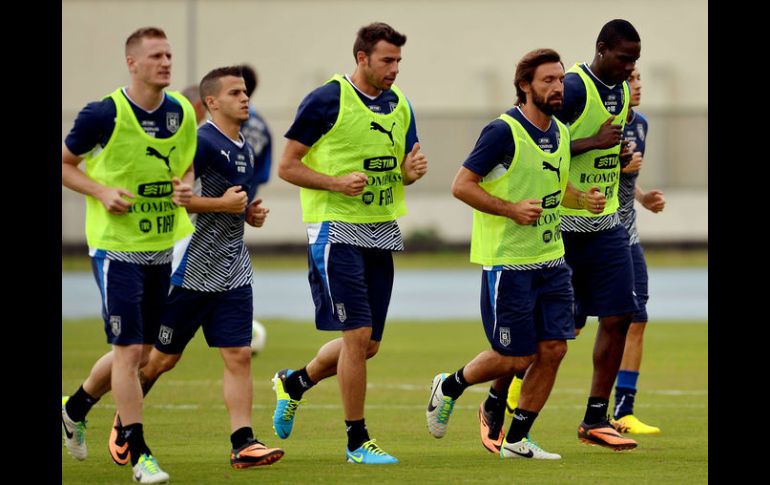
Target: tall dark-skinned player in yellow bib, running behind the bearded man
pixel 596 245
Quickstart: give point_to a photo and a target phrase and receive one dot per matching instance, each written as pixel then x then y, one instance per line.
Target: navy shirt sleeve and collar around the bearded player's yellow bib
pixel 496 146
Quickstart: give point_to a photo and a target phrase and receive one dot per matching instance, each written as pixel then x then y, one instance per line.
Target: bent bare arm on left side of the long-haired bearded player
pixel 466 188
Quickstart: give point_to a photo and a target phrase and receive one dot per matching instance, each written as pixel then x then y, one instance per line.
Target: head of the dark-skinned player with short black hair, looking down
pixel 618 47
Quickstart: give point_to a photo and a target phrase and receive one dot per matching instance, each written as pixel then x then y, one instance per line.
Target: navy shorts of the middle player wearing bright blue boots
pixel 351 286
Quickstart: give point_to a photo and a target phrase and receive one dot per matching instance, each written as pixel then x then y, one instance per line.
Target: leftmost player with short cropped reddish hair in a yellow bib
pixel 138 143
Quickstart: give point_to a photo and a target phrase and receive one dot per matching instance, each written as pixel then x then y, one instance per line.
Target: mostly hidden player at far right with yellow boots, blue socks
pixel 635 132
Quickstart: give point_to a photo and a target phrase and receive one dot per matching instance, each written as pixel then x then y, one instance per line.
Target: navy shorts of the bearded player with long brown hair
pixel 521 308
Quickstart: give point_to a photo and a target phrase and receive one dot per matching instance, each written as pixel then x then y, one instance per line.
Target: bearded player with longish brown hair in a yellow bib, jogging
pixel 516 178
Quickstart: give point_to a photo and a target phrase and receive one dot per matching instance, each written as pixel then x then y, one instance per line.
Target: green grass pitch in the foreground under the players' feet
pixel 187 426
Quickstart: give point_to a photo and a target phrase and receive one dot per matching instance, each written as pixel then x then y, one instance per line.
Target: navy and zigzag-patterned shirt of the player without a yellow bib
pixel 215 258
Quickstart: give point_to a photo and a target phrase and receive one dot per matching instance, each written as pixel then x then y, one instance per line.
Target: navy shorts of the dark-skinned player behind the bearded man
pixel 602 273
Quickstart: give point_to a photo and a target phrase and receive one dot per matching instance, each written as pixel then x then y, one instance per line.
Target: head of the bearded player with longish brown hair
pixel 540 80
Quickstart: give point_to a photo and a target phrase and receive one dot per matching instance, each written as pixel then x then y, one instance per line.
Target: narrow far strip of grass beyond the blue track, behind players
pixel 421 260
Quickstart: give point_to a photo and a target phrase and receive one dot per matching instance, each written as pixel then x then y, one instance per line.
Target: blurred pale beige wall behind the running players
pixel 457 70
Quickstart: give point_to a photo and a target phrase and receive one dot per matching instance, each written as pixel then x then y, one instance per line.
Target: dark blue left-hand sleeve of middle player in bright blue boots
pixel 316 114
